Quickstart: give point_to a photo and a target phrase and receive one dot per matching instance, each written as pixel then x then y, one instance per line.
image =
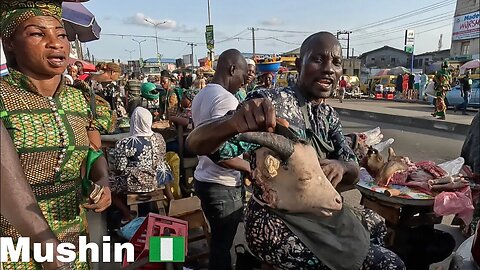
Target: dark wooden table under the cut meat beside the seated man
pixel 409 218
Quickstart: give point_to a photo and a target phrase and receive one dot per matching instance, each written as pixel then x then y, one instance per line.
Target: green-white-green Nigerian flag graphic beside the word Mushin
pixel 167 249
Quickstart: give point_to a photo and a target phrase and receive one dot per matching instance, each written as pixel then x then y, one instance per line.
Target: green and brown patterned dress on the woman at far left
pixel 50 136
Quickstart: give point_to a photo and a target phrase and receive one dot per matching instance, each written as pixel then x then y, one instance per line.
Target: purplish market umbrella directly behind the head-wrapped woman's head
pixel 79 22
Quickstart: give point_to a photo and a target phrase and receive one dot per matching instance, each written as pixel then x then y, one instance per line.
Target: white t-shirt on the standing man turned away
pixel 212 102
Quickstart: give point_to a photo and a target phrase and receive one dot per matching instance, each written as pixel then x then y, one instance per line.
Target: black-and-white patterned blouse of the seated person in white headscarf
pixel 141 162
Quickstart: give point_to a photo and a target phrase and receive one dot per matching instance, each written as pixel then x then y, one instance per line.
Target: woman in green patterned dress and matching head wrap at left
pixel 47 121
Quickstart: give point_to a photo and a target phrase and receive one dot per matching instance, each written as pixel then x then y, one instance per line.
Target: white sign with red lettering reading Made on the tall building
pixel 466 26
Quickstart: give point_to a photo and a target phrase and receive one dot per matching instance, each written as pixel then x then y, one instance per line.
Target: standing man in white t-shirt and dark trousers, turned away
pixel 217 186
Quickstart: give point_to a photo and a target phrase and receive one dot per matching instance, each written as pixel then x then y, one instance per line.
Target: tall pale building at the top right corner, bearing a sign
pixel 466 31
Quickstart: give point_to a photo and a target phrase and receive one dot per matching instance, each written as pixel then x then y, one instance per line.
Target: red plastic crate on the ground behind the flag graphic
pixel 154 225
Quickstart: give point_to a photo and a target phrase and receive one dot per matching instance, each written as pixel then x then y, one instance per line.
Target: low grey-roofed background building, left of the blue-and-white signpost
pixel 385 57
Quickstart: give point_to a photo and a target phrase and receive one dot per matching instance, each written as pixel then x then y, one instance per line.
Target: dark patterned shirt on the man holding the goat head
pixel 324 122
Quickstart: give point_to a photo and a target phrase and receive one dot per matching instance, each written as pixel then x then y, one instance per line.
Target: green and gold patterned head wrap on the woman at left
pixel 15 12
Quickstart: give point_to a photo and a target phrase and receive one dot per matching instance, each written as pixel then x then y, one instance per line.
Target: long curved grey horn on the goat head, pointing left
pixel 281 145
